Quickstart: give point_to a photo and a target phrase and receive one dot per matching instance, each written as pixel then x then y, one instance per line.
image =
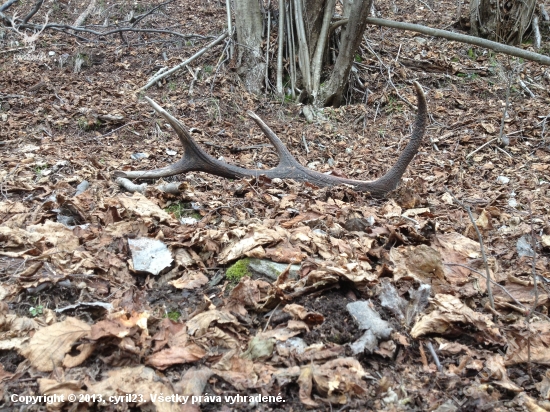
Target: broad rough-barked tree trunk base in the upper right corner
pixel 505 21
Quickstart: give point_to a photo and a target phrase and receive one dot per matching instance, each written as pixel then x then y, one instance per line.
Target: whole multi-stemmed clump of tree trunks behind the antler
pixel 305 33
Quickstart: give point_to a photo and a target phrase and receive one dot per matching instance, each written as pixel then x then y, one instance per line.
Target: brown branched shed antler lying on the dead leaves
pixel 196 159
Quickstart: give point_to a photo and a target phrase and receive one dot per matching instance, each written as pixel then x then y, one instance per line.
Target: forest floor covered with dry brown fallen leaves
pixel 80 316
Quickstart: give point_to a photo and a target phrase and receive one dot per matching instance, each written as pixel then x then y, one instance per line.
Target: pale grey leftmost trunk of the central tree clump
pixel 250 64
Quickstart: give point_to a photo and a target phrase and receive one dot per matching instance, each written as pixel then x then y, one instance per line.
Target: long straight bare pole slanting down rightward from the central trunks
pixel 462 38
